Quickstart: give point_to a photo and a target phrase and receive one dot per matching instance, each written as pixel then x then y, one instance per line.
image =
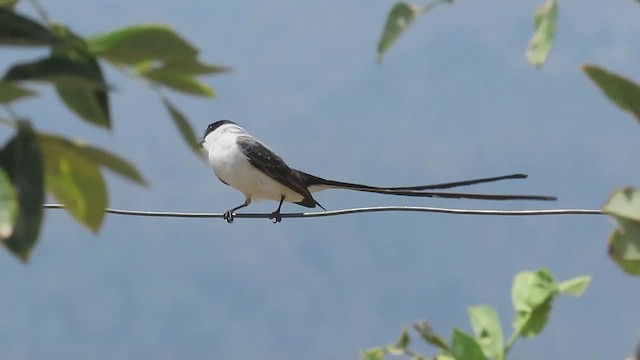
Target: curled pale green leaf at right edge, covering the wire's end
pixel 624 243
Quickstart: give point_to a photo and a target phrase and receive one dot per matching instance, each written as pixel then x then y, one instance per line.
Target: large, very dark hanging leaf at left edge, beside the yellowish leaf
pixel 21 159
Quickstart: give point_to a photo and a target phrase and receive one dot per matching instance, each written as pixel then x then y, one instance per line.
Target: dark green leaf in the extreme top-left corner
pixel 18 30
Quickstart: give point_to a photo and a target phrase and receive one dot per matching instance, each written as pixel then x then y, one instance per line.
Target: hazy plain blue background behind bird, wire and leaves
pixel 461 102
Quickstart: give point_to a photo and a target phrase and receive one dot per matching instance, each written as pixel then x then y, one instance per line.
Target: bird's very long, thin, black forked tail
pixel 419 191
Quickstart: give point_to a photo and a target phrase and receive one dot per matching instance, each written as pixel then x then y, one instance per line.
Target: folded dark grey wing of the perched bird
pixel 265 160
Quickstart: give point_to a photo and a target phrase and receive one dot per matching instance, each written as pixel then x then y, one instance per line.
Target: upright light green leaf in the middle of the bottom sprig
pixel 488 331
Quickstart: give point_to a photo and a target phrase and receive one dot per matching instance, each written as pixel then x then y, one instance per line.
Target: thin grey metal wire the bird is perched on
pixel 174 214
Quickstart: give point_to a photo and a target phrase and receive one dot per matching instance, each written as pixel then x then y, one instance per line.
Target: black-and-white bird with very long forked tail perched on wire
pixel 245 163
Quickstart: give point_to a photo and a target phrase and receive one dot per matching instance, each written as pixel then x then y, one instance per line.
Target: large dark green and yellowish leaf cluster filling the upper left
pixel 34 163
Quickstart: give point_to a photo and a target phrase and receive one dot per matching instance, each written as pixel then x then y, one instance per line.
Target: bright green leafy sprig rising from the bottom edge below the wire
pixel 532 295
